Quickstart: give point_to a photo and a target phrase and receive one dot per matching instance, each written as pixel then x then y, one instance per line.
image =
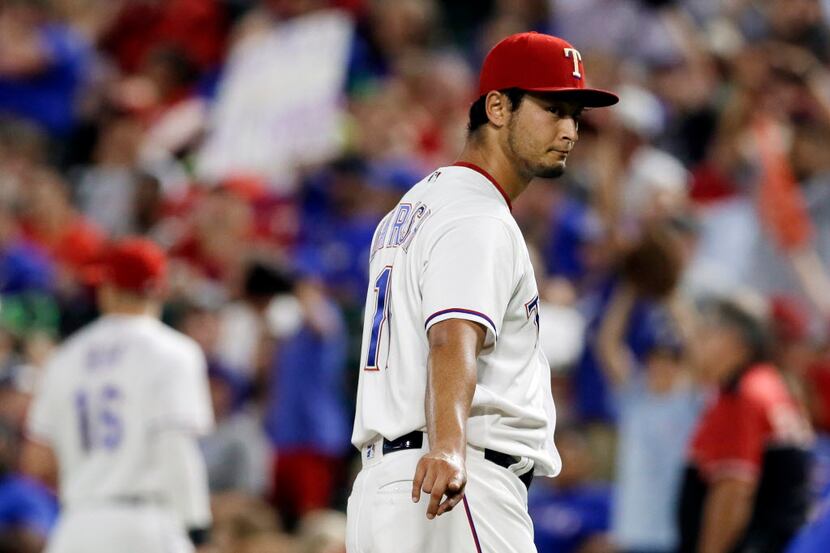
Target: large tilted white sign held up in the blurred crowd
pixel 280 102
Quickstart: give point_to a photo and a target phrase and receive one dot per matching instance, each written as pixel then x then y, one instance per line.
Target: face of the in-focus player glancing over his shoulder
pixel 541 133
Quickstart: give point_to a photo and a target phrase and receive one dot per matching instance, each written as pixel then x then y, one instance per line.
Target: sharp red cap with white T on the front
pixel 540 63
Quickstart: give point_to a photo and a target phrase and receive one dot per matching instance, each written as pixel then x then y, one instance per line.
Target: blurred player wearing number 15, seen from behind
pixel 119 410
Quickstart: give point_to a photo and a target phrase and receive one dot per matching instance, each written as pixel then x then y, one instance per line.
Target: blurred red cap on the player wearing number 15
pixel 134 264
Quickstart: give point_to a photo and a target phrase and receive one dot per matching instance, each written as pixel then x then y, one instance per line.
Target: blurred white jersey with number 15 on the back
pixel 105 393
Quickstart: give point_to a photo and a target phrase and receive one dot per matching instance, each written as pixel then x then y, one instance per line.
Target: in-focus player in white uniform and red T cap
pixel 454 395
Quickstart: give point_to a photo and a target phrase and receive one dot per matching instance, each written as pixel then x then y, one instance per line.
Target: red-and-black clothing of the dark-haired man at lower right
pixel 753 431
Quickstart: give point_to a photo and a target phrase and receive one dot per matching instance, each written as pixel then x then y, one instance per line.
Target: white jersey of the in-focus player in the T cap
pixel 451 249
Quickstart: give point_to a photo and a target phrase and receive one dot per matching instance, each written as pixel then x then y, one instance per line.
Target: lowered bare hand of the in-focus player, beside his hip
pixel 440 474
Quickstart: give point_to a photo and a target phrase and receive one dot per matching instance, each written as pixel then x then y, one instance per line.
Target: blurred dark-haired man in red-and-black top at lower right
pixel 746 483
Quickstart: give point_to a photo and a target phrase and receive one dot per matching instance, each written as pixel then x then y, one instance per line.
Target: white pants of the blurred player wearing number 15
pixel 118 528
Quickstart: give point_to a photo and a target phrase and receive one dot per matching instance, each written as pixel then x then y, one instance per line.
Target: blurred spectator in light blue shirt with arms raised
pixel 657 406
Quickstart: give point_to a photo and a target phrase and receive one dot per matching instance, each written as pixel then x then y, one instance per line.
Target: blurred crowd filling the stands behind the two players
pixel 709 181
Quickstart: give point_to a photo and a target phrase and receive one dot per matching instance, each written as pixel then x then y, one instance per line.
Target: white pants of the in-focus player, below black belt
pixel 383 519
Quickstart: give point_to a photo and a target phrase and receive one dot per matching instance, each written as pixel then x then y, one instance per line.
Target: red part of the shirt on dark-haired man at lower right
pixel 741 424
